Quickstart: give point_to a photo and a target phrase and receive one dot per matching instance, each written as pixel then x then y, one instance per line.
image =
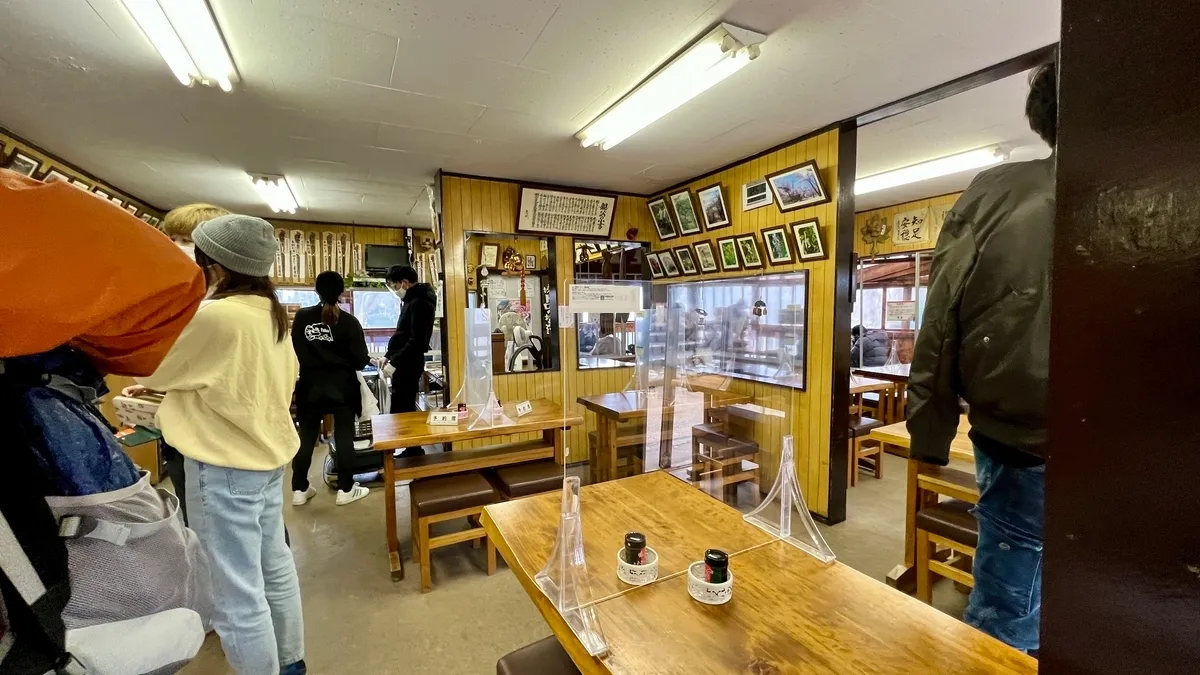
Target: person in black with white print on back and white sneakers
pixel 332 350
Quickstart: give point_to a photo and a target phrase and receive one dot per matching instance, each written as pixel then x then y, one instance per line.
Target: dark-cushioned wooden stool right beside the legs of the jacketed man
pixel 949 524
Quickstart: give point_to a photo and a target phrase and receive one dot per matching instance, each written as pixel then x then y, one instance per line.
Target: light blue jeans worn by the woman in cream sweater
pixel 238 517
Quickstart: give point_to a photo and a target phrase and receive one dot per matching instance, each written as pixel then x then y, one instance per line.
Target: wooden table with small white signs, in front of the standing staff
pixel 394 432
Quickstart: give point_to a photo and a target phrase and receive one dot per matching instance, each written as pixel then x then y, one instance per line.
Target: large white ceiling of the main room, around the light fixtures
pixel 359 103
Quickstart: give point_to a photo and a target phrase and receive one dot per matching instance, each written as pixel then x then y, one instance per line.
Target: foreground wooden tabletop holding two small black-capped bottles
pixel 790 613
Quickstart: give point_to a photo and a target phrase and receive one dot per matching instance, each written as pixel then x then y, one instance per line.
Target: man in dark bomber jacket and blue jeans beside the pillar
pixel 986 338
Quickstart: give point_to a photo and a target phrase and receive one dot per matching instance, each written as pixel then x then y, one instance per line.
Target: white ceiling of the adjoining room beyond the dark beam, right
pixel 989 116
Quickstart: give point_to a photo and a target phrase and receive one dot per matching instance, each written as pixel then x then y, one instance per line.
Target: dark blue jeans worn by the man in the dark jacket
pixel 1006 601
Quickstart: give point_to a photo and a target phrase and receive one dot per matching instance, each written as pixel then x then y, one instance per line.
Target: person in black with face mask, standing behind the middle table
pixel 407 348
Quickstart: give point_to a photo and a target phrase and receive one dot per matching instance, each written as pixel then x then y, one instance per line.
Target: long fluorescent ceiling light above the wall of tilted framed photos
pixel 717 56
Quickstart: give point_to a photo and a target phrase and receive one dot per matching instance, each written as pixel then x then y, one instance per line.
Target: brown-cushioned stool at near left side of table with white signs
pixel 434 500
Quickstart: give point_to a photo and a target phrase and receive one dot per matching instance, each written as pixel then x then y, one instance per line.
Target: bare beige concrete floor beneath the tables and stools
pixel 358 622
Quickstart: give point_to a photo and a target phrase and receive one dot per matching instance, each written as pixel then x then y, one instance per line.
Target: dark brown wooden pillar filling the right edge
pixel 1121 590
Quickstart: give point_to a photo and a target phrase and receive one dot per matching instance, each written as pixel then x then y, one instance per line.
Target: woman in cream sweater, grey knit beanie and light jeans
pixel 229 383
